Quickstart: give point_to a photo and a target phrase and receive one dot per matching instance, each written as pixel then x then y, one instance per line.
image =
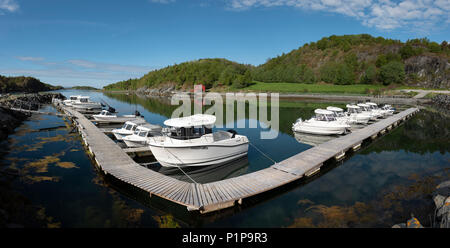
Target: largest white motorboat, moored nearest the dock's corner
pixel 191 142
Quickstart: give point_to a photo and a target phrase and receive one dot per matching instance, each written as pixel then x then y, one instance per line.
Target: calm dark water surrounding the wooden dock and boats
pixel 380 185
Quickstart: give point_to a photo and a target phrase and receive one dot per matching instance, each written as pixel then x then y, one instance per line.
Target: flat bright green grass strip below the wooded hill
pixel 360 89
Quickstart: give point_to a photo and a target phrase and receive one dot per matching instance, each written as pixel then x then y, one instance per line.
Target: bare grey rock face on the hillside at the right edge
pixel 432 72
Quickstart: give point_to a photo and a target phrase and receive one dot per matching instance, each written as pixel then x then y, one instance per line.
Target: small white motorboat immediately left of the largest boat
pixel 142 135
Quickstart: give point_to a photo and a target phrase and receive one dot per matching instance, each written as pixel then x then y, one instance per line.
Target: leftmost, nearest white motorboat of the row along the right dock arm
pixel 324 123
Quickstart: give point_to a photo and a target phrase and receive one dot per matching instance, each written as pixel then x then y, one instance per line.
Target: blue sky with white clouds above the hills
pixel 100 42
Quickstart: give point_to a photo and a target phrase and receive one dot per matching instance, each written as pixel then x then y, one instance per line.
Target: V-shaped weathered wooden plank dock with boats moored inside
pixel 226 193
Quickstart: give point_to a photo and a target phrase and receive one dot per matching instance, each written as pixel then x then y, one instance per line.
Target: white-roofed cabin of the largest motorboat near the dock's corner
pixel 190 127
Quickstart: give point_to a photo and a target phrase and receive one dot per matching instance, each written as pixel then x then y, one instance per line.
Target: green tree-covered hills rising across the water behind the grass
pixel 339 60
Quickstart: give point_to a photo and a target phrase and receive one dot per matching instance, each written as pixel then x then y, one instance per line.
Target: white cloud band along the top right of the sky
pixel 381 14
